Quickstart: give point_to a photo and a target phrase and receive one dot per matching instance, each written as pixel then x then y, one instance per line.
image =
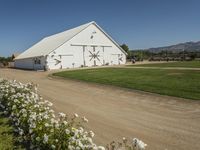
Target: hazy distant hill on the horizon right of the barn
pixel 188 46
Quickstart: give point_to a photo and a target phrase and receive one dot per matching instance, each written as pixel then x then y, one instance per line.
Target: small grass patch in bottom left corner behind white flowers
pixel 7 137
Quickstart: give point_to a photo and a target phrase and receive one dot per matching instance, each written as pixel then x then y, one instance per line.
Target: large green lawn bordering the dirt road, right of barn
pixel 179 83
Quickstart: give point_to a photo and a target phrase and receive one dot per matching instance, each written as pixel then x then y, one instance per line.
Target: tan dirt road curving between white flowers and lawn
pixel 164 123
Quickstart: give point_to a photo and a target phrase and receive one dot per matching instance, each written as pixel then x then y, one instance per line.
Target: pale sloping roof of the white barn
pixel 50 43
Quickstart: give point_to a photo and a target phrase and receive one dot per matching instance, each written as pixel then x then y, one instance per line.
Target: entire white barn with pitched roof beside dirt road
pixel 85 45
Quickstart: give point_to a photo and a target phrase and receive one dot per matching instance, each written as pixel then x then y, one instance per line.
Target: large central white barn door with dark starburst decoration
pixel 93 56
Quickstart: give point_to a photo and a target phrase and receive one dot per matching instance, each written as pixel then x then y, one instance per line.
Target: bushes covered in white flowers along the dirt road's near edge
pixel 37 126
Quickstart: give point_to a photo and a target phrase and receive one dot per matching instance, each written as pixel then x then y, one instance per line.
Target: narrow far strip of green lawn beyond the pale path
pixel 186 64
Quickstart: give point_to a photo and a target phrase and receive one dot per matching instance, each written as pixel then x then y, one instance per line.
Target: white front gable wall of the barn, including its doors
pixel 82 48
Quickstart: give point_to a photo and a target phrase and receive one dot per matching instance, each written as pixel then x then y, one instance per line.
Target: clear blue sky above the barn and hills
pixel 138 23
